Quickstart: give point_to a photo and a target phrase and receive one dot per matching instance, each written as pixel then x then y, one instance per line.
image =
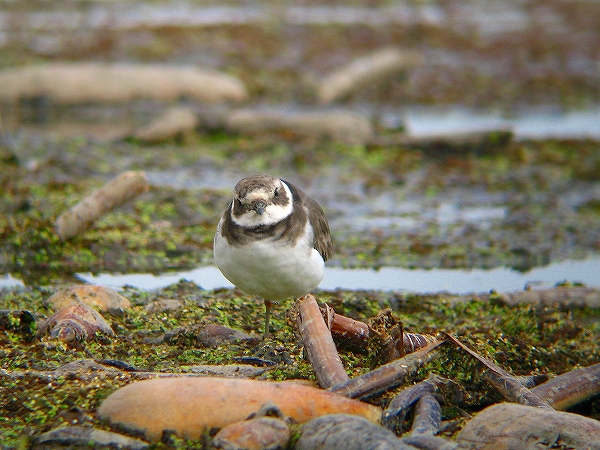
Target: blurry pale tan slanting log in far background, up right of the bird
pixel 368 69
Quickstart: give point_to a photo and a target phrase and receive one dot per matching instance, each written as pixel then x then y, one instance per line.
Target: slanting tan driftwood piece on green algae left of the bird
pixel 112 194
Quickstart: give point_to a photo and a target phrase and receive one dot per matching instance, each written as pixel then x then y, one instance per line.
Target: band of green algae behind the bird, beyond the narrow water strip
pixel 172 228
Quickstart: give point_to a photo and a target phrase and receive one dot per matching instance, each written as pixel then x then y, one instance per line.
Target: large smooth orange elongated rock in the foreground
pixel 188 406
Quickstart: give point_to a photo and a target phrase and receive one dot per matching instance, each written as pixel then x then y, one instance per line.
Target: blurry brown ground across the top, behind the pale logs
pixel 509 56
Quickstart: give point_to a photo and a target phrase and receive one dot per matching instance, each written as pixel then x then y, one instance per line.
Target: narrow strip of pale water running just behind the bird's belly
pixel 388 279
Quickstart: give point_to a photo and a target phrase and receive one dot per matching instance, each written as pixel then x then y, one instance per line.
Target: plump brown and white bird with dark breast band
pixel 272 241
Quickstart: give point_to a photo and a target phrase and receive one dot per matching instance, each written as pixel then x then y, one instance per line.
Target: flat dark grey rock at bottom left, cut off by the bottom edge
pixel 86 437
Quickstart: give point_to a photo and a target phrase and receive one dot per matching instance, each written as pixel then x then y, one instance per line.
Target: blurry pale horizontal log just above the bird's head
pixel 340 126
